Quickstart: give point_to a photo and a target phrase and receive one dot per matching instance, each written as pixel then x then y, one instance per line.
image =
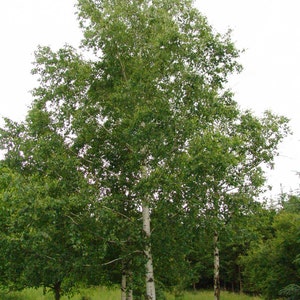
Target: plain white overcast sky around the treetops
pixel 269 31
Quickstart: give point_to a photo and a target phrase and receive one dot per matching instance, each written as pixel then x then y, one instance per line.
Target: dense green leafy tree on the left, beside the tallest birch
pixel 45 200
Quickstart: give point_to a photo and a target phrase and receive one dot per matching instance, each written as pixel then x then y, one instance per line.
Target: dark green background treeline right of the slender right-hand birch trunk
pixel 259 252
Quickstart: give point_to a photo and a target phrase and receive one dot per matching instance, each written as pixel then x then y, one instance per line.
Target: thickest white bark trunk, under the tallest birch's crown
pixel 150 285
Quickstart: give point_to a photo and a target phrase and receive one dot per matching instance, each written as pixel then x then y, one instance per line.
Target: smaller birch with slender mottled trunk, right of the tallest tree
pixel 228 161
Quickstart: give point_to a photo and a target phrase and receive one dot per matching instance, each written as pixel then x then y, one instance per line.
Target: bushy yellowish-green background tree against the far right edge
pixel 271 266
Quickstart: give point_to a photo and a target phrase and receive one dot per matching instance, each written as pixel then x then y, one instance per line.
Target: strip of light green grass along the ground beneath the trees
pixel 114 294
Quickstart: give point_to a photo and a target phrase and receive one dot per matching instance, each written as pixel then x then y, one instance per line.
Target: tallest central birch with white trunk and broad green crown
pixel 155 82
